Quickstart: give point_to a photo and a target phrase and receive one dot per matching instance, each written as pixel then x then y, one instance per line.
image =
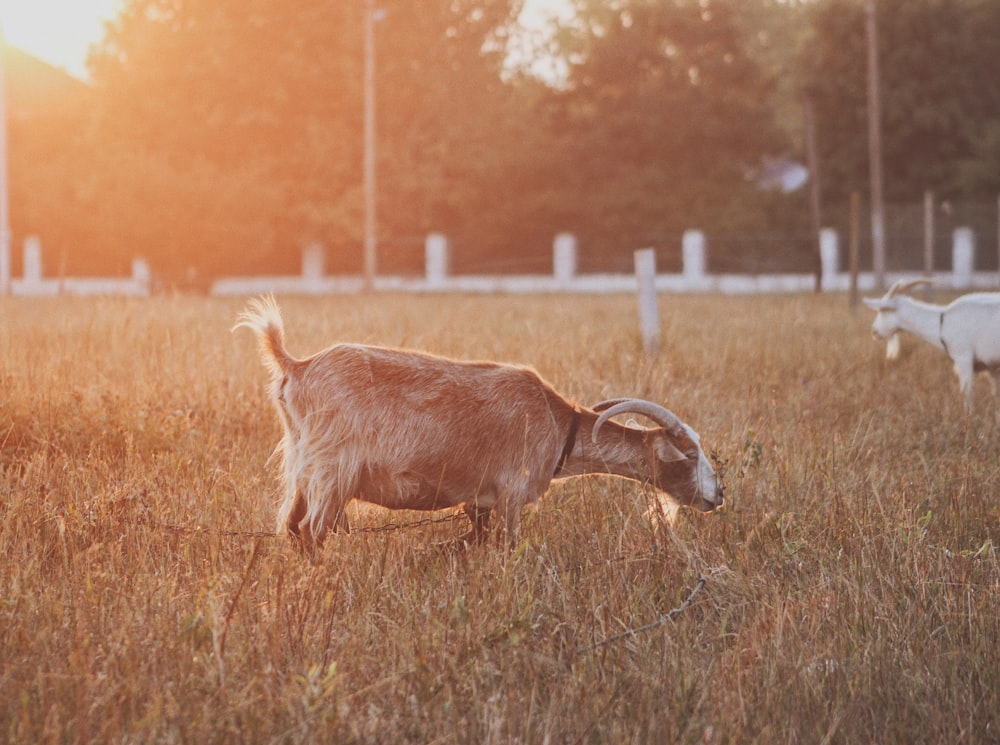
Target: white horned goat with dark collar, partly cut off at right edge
pixel 967 329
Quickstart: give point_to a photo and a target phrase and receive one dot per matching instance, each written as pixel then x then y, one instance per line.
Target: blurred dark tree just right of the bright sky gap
pixel 662 121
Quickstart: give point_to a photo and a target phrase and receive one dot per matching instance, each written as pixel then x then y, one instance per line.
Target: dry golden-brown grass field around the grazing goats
pixel 852 583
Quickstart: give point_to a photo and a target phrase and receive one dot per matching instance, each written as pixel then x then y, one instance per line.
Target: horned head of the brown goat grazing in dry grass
pixel 680 468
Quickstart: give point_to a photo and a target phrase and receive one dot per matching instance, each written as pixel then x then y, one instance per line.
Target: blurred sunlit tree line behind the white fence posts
pixel 222 136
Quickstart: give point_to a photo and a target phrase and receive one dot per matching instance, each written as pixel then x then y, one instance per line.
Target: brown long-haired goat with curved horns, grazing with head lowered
pixel 408 430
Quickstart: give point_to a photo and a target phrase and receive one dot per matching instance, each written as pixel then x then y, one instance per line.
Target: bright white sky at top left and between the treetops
pixel 61 31
